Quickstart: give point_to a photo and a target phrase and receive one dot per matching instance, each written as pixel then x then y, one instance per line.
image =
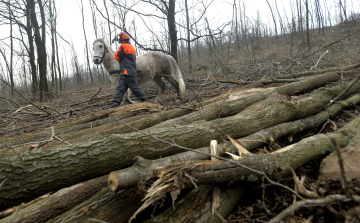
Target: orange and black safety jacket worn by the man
pixel 126 54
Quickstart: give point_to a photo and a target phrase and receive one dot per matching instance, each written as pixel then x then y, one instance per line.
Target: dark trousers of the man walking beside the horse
pixel 126 82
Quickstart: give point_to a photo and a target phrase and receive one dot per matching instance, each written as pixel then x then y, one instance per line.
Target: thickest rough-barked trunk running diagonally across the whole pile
pixel 48 169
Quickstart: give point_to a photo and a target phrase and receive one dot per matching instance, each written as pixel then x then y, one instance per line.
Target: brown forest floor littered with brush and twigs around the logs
pixel 259 204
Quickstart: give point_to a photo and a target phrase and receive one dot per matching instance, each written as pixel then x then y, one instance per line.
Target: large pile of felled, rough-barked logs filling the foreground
pixel 112 166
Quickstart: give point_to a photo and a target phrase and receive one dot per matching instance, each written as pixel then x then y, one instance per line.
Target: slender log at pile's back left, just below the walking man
pixel 100 121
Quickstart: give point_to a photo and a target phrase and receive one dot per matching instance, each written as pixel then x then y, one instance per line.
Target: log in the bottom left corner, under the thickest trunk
pixel 57 203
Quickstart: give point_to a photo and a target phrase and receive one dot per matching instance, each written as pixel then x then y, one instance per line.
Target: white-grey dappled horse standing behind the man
pixel 150 66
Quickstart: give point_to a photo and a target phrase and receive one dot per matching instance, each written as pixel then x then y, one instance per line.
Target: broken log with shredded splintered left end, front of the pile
pixel 276 165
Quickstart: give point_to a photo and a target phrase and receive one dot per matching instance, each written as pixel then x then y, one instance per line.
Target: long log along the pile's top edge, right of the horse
pixel 229 108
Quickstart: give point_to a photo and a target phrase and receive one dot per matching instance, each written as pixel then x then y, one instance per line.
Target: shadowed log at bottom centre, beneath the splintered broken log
pixel 196 206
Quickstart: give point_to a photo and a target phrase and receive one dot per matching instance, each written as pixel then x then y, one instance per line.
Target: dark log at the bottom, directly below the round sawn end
pixel 104 206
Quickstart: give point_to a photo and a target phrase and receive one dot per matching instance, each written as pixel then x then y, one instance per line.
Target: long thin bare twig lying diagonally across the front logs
pixel 218 157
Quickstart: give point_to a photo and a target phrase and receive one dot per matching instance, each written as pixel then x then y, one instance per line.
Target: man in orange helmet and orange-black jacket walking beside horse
pixel 126 55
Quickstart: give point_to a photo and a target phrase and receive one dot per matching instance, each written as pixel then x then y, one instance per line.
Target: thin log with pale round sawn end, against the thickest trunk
pixel 131 176
